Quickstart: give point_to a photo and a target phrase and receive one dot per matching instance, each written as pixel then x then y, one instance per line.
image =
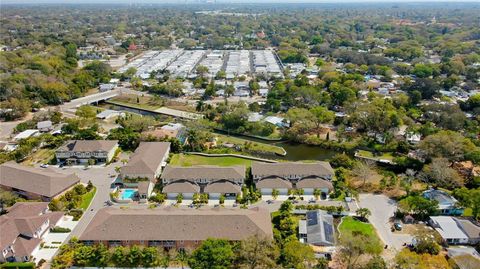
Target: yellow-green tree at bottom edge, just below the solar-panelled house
pixel 297 255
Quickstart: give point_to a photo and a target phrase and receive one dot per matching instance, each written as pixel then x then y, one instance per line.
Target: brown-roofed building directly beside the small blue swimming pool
pixel 146 162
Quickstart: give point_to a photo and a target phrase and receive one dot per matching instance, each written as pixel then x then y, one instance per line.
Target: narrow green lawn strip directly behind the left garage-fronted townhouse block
pixel 190 160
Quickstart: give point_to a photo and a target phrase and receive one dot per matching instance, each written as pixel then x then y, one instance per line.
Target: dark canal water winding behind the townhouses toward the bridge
pixel 295 151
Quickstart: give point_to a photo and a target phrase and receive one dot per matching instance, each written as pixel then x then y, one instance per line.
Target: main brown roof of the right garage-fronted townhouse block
pixel 285 169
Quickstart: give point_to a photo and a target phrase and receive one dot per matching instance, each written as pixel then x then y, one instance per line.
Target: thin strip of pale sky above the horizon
pixel 219 1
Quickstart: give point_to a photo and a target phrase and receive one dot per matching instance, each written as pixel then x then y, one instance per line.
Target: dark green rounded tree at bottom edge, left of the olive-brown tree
pixel 212 254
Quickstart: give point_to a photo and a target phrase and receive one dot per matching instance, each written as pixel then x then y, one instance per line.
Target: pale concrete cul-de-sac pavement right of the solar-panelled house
pixel 382 209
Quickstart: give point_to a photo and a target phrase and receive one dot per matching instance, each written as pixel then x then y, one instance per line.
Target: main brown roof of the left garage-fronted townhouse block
pixel 213 173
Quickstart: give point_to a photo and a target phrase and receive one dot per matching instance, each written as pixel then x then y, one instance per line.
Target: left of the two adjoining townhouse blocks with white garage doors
pixel 213 180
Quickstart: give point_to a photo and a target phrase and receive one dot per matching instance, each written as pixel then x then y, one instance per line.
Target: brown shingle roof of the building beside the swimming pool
pixel 146 159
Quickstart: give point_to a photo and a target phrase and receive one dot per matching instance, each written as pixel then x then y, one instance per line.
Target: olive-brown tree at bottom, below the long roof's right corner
pixel 256 253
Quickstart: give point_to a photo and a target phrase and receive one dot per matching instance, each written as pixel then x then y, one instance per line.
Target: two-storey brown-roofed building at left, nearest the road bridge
pixel 81 151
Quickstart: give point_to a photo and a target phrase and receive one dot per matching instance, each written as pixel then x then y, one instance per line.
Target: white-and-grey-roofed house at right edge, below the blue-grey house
pixel 456 231
